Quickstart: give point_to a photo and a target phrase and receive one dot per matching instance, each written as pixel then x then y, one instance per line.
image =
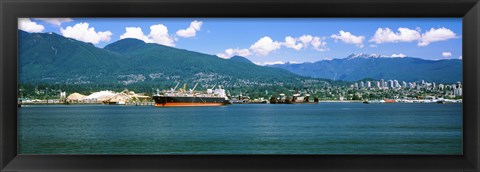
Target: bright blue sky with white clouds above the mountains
pixel 267 41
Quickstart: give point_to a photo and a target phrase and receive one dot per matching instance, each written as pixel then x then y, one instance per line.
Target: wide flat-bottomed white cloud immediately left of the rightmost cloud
pixel 386 35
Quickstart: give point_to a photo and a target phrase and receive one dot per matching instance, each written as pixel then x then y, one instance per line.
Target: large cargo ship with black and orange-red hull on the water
pixel 183 98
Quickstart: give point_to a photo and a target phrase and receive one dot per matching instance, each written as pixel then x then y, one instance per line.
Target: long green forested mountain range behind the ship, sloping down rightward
pixel 54 59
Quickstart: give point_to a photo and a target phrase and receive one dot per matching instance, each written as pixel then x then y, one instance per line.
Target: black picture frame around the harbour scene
pixel 10 10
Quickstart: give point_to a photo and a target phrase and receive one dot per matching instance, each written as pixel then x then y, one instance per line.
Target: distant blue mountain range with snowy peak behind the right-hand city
pixel 360 66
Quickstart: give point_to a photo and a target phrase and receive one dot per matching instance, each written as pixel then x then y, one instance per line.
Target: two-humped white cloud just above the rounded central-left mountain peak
pixel 158 34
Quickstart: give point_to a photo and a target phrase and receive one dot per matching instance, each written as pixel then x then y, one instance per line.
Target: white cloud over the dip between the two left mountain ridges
pixel 83 32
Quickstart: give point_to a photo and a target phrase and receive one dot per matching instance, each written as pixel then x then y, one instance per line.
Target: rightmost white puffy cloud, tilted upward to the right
pixel 434 35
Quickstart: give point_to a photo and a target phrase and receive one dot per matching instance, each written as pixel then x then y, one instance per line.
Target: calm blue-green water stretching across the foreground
pixel 324 128
